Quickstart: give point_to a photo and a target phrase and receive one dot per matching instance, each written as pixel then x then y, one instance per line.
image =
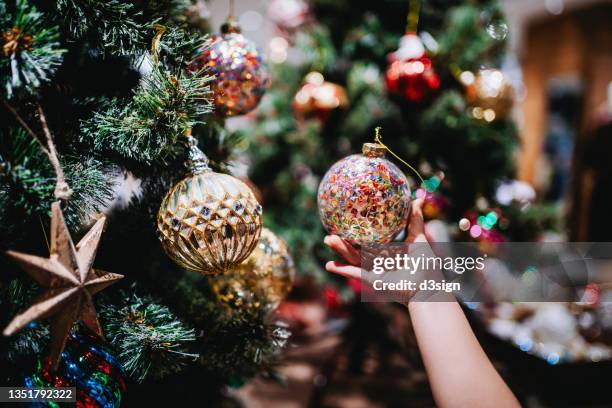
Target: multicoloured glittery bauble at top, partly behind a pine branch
pixel 241 77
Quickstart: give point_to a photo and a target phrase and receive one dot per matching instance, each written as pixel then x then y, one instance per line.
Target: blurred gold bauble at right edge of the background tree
pixel 490 95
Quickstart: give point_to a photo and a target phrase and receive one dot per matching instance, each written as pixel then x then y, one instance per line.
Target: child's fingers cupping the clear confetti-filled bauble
pixel 416 233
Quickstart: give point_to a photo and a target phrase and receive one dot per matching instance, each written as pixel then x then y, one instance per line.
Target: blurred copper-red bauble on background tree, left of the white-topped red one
pixel 318 98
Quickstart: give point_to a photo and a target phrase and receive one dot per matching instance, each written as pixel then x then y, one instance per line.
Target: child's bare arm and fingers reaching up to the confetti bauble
pixel 459 371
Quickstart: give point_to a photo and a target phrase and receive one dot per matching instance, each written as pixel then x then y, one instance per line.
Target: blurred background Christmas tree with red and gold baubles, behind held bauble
pixel 426 72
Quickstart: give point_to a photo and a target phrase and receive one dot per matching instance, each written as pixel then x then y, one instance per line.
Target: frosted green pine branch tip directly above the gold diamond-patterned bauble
pixel 148 128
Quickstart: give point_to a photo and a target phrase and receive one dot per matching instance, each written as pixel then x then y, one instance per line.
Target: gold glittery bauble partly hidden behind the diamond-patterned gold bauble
pixel 263 280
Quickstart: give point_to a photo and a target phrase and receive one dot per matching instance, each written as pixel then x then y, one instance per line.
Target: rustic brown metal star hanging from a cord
pixel 70 281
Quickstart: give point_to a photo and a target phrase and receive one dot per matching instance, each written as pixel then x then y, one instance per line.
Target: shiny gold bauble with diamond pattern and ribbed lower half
pixel 208 222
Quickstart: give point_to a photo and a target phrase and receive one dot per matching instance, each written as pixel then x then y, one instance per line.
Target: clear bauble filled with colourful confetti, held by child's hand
pixel 364 198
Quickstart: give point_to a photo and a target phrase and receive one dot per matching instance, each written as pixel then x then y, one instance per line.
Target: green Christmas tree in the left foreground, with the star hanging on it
pixel 96 95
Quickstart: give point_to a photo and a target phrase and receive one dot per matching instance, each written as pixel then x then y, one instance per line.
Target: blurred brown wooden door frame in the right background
pixel 575 43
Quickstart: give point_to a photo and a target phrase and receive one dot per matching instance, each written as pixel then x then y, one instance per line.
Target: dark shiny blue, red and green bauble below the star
pixel 88 364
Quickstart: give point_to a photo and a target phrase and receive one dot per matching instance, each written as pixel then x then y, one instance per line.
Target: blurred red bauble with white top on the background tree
pixel 410 75
